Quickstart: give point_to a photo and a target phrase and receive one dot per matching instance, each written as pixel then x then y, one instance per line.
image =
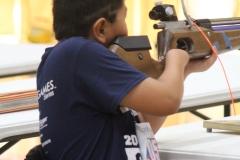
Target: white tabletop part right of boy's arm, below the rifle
pixel 210 87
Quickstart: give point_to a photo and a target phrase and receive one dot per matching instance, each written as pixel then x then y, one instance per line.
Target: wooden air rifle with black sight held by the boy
pixel 223 33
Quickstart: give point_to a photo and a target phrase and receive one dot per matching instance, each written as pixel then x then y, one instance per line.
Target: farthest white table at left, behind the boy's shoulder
pixel 20 58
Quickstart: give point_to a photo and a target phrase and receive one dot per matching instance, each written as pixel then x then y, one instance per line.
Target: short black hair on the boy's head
pixel 72 18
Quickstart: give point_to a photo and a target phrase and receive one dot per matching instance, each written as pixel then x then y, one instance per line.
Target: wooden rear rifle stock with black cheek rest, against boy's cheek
pixel 135 51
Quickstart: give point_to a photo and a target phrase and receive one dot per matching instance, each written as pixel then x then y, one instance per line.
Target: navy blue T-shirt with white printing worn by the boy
pixel 80 84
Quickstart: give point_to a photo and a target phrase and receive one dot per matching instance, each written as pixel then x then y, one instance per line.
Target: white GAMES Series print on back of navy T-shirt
pixel 47 91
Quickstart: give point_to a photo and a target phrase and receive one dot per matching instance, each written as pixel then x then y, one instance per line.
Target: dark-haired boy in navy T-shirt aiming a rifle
pixel 83 86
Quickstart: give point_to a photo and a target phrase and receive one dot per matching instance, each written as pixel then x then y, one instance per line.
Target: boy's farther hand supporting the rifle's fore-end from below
pixel 199 65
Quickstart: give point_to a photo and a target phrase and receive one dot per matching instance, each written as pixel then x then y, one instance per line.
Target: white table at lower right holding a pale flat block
pixel 192 142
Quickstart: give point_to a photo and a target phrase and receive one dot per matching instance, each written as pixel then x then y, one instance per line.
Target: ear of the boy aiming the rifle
pixel 99 30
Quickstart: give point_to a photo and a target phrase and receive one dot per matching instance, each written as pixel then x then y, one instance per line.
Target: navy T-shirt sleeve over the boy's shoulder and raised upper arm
pixel 104 78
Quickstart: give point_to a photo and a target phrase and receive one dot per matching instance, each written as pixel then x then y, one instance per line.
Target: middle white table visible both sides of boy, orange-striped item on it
pixel 201 90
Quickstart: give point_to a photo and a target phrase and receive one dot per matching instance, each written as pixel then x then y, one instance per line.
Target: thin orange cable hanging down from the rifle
pixel 215 52
